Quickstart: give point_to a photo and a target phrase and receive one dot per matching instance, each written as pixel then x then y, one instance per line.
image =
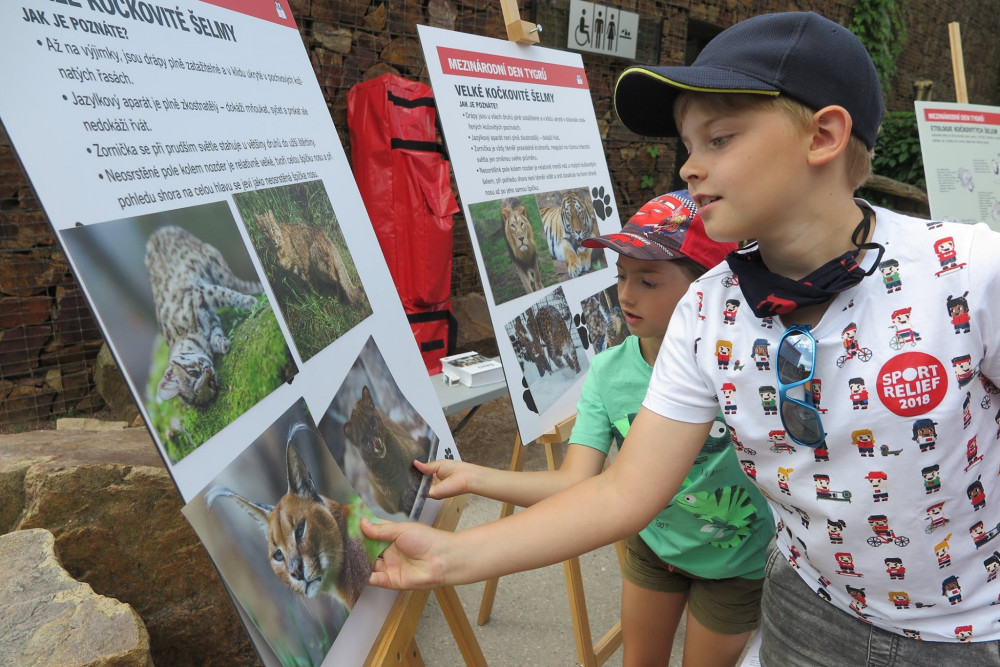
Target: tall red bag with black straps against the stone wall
pixel 404 181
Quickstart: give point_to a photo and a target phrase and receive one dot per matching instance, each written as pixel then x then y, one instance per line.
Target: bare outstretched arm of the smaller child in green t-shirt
pixel 523 488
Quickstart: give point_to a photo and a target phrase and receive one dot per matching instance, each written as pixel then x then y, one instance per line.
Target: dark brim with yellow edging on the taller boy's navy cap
pixel 644 96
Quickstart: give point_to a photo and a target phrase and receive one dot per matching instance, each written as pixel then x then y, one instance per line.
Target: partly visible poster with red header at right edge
pixel 961 150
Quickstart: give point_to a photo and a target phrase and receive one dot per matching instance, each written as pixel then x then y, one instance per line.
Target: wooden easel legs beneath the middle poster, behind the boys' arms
pixel 588 653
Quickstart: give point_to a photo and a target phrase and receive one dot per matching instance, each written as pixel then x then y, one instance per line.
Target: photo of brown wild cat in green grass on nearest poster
pixel 305 258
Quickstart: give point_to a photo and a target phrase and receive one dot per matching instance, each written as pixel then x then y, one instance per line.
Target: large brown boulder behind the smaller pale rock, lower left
pixel 116 517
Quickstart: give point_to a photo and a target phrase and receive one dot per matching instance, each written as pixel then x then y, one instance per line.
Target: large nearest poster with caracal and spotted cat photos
pixel 186 159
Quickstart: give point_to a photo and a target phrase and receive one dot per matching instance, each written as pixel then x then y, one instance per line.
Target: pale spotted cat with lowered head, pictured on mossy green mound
pixel 191 282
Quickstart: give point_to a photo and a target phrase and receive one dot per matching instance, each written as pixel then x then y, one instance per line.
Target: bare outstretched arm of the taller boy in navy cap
pixel 645 476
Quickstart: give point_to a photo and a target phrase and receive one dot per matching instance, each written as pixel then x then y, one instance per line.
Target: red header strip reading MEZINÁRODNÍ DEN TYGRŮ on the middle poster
pixel 488 66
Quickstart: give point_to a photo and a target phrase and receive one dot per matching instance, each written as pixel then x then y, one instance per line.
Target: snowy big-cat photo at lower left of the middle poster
pixel 548 348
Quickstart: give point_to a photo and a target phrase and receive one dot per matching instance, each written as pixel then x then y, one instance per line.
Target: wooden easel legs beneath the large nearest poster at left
pixel 395 644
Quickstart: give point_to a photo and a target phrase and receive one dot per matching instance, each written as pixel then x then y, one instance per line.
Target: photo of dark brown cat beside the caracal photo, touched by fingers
pixel 376 434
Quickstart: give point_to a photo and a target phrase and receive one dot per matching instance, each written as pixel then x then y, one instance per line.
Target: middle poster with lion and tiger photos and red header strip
pixel 534 183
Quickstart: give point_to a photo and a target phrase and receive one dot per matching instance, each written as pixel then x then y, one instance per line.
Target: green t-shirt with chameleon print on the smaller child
pixel 718 525
